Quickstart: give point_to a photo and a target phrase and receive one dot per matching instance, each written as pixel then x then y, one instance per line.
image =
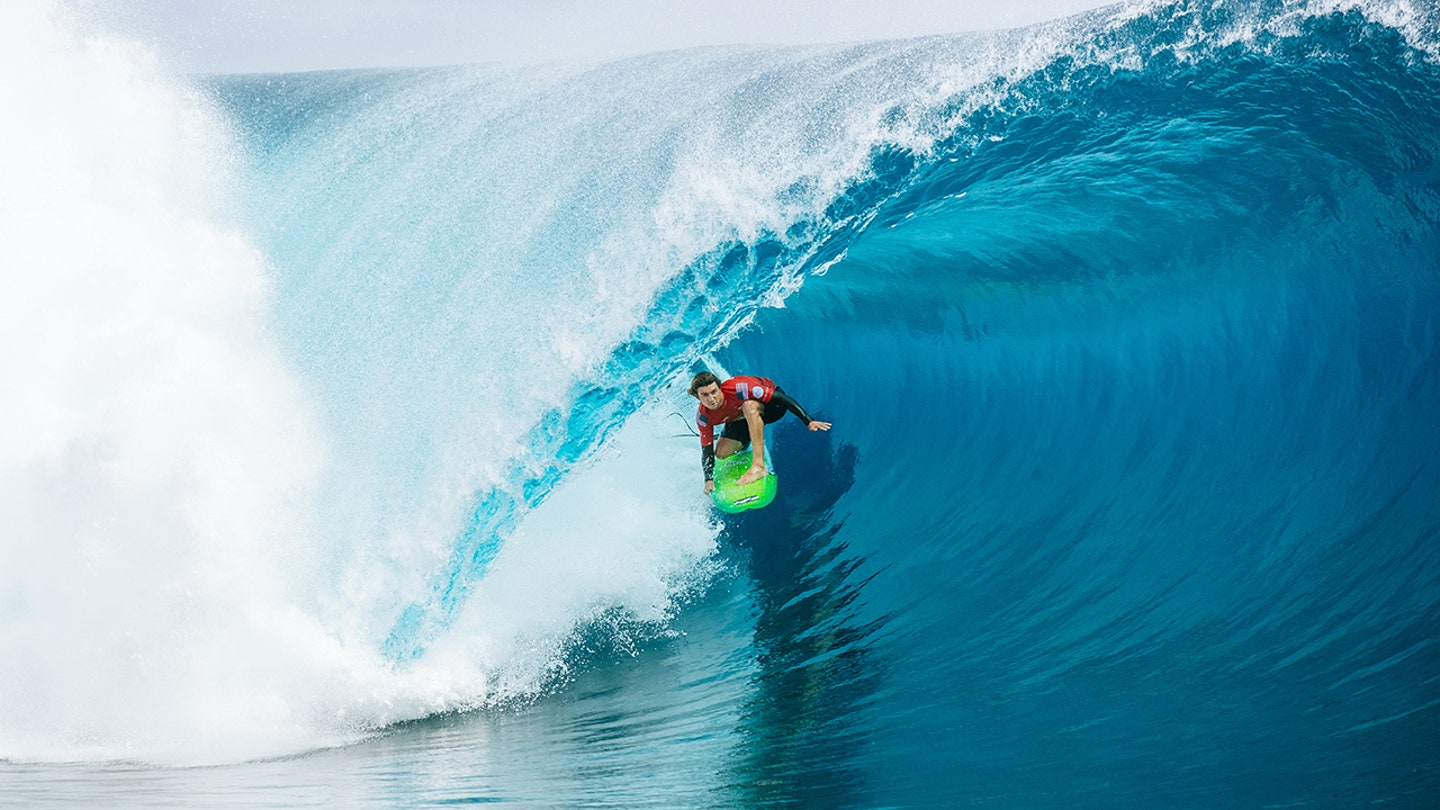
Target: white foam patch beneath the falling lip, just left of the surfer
pixel 629 533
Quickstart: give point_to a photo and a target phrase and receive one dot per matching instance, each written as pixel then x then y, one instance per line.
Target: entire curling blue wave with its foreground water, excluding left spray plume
pixel 1128 329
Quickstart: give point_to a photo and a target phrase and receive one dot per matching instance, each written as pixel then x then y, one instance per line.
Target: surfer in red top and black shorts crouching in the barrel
pixel 744 406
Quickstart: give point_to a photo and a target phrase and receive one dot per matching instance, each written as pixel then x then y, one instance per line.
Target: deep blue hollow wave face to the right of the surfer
pixel 1141 440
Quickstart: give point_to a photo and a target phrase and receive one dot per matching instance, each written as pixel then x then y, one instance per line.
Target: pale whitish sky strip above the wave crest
pixel 299 35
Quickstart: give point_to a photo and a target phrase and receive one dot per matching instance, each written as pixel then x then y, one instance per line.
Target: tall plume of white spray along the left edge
pixel 155 450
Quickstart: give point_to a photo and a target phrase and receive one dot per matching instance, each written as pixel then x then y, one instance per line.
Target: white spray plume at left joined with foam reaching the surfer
pixel 165 584
